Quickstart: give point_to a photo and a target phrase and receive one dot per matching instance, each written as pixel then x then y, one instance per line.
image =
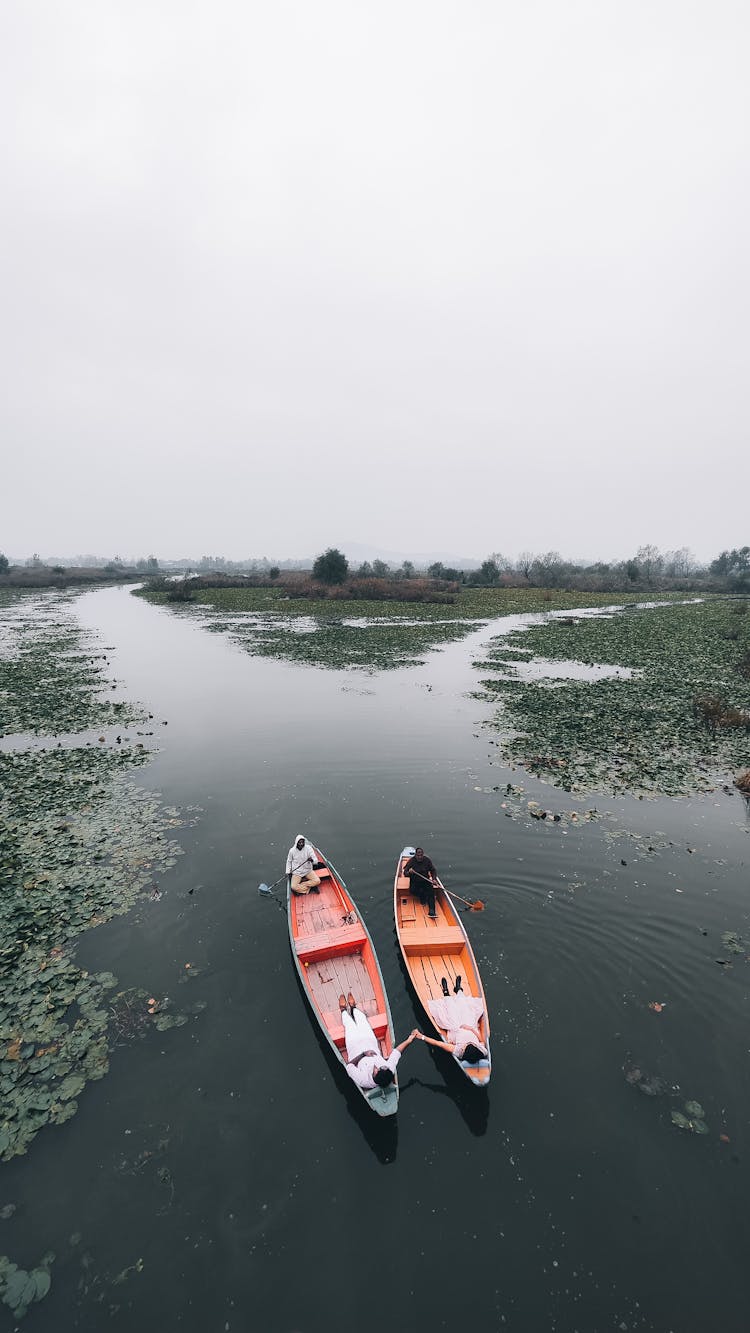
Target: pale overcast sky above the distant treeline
pixel 428 277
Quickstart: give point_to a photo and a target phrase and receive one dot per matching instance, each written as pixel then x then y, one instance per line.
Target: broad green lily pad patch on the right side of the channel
pixel 628 735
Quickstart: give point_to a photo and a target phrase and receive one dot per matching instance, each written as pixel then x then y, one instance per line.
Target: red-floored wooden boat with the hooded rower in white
pixel 334 954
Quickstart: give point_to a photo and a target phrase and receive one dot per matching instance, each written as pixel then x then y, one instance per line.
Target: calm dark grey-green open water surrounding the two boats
pixel 563 1200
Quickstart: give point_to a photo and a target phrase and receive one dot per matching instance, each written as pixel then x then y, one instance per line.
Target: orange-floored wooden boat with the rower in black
pixel 439 948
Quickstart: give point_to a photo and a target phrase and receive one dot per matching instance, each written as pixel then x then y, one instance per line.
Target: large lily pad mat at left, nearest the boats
pixel 79 844
